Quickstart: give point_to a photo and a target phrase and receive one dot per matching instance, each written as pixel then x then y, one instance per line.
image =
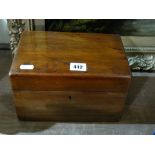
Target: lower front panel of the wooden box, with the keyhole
pixel 69 106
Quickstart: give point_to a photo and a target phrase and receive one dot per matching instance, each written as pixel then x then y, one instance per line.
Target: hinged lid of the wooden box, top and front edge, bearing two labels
pixel 70 61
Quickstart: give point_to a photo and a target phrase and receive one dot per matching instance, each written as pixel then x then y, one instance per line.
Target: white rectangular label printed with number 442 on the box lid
pixel 78 67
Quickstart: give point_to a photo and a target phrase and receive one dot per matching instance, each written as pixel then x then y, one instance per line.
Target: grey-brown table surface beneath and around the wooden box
pixel 138 117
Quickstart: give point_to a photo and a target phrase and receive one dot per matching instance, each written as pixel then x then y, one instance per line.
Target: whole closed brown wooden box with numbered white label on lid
pixel 61 76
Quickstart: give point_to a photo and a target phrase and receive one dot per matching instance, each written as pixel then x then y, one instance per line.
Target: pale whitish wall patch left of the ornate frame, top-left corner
pixel 4 33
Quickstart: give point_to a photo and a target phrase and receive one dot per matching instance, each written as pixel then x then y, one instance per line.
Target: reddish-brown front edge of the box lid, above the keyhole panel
pixel 70 83
